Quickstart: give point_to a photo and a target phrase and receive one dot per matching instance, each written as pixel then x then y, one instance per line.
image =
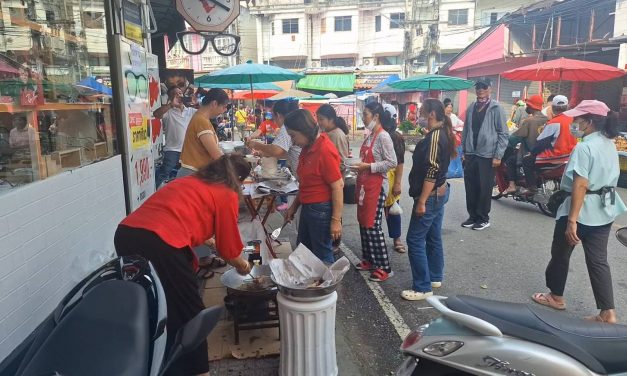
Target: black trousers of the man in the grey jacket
pixel 479 182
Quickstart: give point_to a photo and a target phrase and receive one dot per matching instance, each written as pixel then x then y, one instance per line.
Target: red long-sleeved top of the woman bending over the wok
pixel 188 211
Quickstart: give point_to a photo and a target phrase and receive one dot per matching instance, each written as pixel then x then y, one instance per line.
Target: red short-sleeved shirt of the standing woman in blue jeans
pixel 318 167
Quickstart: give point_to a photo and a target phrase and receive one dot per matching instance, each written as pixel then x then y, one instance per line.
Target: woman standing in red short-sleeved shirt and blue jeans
pixel 321 186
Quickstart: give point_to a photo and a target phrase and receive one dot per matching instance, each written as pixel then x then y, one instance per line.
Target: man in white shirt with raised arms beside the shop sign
pixel 175 118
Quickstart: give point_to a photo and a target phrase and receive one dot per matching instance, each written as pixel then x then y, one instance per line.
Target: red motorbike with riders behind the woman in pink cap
pixel 549 178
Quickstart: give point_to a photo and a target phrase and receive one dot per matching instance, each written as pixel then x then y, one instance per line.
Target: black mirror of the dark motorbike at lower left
pixel 192 334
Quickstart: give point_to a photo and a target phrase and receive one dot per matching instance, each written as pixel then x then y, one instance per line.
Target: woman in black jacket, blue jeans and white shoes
pixel 428 187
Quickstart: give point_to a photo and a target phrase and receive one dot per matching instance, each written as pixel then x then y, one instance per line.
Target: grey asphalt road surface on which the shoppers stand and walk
pixel 505 262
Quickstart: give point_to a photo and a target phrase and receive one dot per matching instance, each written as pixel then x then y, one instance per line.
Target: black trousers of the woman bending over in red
pixel 174 268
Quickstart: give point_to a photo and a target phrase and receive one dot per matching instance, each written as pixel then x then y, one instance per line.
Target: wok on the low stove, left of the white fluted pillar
pixel 244 284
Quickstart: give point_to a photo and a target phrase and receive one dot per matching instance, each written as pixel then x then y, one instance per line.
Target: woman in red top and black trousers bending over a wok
pixel 180 216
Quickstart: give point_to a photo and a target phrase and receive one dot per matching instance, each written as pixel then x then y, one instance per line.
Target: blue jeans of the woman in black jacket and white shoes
pixel 424 243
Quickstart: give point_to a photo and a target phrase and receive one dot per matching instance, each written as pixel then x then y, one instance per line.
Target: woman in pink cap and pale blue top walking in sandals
pixel 587 214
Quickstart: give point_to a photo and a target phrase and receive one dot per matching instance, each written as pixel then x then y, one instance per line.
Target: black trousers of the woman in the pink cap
pixel 594 240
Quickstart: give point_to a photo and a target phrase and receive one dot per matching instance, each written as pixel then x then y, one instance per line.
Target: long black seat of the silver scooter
pixel 600 347
